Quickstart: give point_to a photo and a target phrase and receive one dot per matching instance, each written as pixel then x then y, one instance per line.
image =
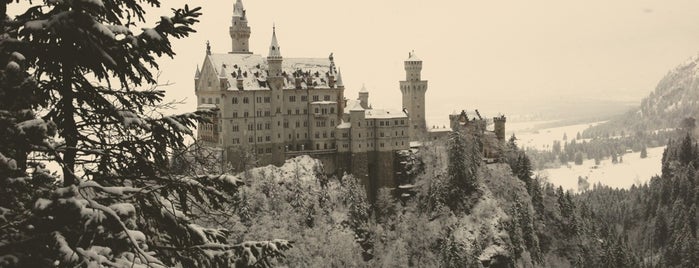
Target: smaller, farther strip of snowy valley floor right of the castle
pixel 543 139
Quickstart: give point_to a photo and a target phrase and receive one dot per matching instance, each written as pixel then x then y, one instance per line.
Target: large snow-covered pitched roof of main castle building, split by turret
pixel 254 68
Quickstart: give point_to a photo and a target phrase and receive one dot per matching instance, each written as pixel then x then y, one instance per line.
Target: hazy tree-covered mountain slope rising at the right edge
pixel 675 98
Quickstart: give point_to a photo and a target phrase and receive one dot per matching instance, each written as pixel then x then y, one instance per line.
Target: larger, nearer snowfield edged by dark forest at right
pixel 633 170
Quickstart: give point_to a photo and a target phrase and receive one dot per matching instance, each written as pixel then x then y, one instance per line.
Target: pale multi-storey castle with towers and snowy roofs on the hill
pixel 273 108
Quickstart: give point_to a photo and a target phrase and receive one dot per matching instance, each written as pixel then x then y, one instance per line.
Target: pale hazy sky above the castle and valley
pixel 490 55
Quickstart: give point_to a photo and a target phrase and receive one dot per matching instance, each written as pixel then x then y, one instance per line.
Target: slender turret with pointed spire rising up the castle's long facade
pixel 275 82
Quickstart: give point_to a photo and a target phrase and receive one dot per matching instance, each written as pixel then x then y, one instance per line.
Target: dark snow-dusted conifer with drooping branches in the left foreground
pixel 72 79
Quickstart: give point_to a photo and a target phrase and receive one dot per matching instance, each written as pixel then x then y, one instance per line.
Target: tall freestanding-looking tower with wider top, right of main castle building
pixel 413 91
